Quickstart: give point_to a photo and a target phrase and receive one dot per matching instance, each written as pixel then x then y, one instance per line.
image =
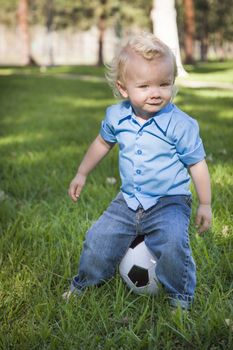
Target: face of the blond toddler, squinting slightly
pixel 147 84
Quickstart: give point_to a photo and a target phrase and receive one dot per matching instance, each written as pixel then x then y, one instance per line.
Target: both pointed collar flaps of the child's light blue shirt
pixel 161 118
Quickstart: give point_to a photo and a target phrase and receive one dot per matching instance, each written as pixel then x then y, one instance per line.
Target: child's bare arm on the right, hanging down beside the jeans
pixel 201 179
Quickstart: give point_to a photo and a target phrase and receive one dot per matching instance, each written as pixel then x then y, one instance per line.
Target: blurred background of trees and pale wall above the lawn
pixel 73 32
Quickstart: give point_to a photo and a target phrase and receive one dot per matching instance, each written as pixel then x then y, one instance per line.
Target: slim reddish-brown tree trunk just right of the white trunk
pixel 189 22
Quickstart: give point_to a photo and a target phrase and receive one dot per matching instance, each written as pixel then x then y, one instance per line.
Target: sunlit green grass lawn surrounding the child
pixel 45 127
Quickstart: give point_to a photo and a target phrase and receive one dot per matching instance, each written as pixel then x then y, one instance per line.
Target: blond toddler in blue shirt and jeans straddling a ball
pixel 159 146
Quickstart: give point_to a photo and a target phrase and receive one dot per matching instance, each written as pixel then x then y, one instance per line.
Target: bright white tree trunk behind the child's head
pixel 165 28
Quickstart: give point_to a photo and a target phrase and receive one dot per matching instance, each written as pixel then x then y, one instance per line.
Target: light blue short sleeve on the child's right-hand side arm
pixel 188 143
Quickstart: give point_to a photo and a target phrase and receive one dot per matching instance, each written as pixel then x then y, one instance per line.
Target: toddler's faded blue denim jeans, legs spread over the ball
pixel 165 227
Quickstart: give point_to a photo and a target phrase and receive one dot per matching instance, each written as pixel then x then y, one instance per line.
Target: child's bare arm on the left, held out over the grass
pixel 95 153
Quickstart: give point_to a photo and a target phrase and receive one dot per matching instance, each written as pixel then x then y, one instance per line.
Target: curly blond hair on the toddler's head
pixel 147 45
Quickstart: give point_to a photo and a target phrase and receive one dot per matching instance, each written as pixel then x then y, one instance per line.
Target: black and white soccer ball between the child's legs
pixel 137 268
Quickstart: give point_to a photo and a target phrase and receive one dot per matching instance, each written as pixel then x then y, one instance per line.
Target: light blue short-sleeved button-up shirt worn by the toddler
pixel 153 157
